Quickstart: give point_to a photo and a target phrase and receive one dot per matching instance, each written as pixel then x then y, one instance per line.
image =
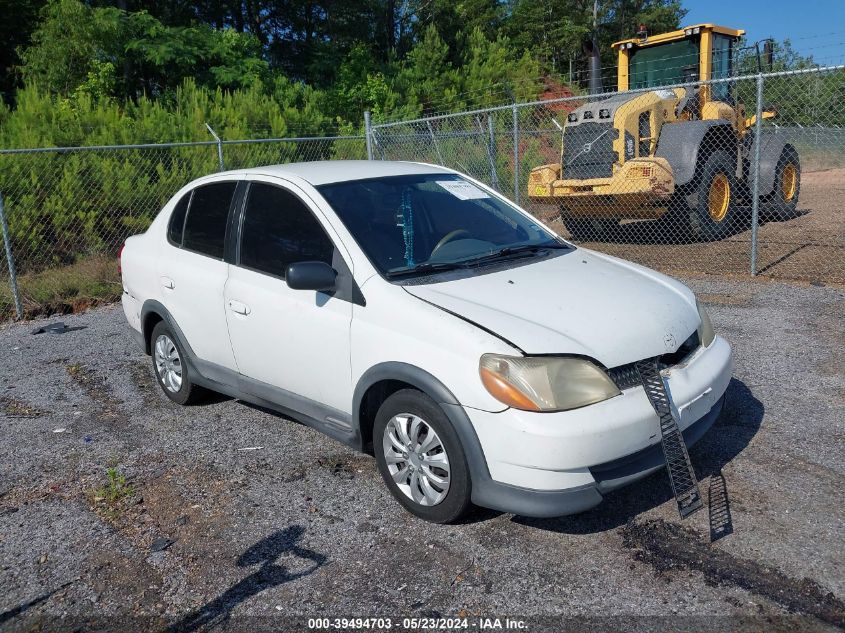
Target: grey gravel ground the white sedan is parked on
pixel 229 513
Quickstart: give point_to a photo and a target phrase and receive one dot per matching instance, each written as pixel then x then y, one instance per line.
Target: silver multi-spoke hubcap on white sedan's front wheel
pixel 416 459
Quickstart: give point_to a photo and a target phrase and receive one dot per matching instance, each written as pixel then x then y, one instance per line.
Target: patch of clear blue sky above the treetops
pixel 815 27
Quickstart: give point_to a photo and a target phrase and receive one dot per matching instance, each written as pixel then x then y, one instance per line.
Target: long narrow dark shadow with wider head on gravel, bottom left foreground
pixel 271 573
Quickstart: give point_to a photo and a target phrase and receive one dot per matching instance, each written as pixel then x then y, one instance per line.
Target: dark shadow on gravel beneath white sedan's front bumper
pixel 732 432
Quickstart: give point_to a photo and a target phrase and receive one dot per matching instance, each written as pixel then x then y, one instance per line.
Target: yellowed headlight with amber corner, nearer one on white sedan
pixel 545 383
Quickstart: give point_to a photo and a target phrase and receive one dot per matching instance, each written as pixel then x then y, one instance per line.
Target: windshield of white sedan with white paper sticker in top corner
pixel 428 222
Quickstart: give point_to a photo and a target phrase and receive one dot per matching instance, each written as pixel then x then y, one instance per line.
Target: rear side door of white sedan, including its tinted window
pixel 192 272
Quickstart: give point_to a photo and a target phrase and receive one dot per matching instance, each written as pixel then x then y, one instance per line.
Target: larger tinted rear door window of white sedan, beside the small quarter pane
pixel 205 228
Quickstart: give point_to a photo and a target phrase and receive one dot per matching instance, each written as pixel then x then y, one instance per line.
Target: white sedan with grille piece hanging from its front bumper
pixel 413 313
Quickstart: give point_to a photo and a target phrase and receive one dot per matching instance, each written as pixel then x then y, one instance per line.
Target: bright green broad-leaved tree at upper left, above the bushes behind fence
pixel 76 44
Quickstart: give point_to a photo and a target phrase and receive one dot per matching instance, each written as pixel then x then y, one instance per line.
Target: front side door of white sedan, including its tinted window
pixel 292 346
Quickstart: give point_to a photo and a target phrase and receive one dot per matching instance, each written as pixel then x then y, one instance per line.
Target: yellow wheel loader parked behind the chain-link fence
pixel 685 152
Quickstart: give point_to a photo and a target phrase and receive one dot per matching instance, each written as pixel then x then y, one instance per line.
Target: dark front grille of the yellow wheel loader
pixel 597 162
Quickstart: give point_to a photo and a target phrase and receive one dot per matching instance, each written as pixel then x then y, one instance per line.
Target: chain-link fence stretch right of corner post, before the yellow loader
pixel 684 200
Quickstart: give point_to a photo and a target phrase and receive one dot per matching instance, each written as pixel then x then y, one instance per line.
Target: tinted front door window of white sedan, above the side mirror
pixel 278 229
